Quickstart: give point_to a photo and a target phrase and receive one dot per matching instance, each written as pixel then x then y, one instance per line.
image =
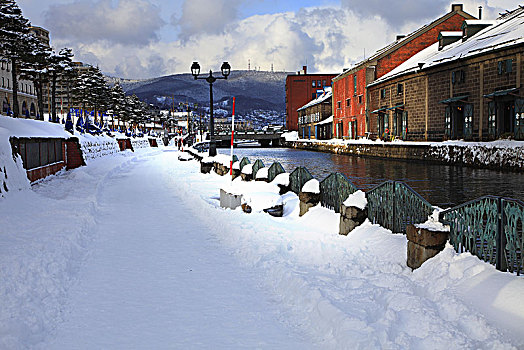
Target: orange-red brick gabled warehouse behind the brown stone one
pixel 350 98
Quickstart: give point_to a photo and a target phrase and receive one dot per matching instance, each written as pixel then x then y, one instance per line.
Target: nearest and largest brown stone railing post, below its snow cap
pixel 423 244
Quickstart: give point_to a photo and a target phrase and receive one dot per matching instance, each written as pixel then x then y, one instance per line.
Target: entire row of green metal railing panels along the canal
pixel 489 227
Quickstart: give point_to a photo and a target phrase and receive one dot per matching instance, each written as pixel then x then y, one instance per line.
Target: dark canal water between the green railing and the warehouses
pixel 442 185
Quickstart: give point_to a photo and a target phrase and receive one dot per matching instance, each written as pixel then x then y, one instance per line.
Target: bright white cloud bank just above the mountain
pixel 328 38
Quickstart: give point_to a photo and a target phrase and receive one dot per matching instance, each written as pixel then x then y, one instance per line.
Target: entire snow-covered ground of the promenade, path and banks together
pixel 134 252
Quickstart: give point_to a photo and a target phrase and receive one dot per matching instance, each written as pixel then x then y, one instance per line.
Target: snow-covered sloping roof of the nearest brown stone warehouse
pixel 506 32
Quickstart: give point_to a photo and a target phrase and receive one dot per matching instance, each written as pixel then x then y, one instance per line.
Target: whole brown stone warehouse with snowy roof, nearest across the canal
pixel 468 86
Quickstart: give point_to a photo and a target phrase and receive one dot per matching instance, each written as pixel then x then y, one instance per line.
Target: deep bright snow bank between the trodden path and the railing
pixel 356 292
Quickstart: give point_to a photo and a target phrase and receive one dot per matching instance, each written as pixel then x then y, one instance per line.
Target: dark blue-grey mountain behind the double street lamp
pixel 253 90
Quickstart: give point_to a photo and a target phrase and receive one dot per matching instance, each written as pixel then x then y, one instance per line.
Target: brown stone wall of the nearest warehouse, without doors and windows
pixel 435 85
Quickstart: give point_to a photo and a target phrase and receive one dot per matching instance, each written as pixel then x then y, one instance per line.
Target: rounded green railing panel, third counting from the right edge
pixel 334 190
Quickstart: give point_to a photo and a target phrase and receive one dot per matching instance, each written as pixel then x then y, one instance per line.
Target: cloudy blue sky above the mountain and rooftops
pixel 139 39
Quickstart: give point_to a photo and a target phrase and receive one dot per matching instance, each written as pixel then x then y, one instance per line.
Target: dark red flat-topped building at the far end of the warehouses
pixel 300 89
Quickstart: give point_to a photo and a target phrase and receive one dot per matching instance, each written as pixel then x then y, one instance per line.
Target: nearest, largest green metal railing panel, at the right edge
pixel 491 228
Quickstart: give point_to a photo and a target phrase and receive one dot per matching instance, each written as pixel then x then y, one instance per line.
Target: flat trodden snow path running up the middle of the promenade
pixel 157 279
